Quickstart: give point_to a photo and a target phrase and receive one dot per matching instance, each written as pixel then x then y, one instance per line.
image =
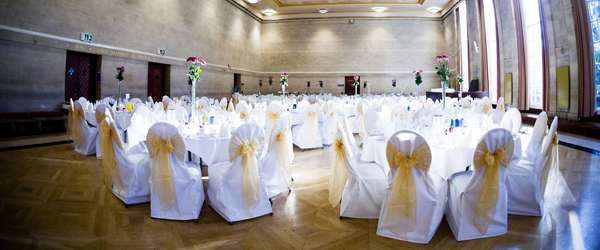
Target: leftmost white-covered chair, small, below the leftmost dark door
pixel 85 136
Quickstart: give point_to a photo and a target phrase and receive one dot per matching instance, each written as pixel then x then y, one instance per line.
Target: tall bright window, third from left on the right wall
pixel 533 38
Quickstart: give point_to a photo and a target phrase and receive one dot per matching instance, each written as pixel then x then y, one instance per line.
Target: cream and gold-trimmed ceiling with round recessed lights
pixel 309 9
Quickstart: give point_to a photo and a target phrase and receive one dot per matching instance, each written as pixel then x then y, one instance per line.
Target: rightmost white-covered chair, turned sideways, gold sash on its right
pixel 526 182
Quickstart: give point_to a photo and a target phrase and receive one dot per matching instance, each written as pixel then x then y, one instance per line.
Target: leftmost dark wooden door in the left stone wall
pixel 80 76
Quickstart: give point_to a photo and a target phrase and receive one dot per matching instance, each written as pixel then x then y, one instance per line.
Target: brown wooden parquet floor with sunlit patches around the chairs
pixel 54 198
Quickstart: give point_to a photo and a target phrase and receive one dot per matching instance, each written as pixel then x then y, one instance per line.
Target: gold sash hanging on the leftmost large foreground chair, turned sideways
pixel 108 138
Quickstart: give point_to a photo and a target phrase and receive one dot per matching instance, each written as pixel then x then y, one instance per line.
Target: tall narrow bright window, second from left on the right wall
pixel 492 51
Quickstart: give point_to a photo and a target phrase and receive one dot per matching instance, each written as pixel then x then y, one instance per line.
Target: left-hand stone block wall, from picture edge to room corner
pixel 214 30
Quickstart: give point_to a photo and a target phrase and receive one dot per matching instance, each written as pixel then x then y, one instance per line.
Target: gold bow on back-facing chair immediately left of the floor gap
pixel 248 151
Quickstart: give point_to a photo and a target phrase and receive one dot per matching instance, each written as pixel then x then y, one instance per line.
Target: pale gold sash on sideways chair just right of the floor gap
pixel 339 174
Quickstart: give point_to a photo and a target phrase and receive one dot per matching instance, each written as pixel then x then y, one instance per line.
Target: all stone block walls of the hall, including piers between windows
pixel 379 50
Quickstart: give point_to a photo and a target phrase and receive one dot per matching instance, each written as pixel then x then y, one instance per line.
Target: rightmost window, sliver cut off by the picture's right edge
pixel 594 14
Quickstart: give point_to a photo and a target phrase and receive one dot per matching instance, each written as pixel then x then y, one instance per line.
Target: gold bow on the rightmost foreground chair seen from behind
pixel 486 205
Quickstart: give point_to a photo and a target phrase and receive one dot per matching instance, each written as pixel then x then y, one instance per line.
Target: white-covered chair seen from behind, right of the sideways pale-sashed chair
pixel 415 198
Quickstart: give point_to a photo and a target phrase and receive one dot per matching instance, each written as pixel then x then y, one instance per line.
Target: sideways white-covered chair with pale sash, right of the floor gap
pixel 359 185
